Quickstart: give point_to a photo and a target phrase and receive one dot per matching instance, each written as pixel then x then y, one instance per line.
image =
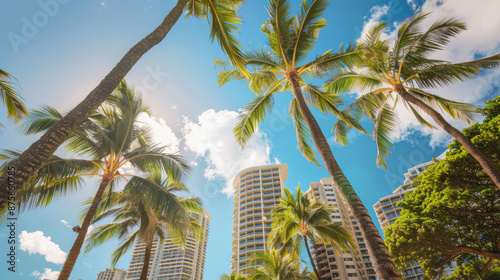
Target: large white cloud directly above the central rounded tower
pixel 212 137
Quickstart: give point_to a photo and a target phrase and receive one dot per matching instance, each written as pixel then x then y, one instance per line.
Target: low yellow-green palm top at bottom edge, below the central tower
pixel 273 265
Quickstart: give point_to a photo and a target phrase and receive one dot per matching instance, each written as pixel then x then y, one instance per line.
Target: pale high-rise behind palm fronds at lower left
pixel 168 261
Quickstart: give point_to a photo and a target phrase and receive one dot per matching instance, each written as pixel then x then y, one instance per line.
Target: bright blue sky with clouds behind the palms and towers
pixel 72 45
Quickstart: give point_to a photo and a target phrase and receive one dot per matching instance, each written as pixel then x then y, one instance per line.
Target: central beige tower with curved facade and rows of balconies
pixel 256 191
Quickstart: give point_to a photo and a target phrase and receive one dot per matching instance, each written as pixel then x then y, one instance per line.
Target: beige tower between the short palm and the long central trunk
pixel 348 265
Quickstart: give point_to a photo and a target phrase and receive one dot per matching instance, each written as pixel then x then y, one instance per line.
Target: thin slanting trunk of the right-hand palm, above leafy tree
pixel 483 160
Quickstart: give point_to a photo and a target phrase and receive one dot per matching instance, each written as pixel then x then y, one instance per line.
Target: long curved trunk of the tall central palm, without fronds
pixel 381 258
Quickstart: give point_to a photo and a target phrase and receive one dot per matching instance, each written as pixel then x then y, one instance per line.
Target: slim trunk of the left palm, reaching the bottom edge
pixel 77 246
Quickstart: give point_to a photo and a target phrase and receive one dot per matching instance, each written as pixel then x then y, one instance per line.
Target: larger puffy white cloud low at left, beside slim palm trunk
pixel 37 243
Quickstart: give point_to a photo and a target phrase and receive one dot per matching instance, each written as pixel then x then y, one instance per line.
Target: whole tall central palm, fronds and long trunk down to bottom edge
pixel 281 69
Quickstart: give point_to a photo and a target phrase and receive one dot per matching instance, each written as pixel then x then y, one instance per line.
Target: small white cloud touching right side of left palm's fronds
pixel 162 133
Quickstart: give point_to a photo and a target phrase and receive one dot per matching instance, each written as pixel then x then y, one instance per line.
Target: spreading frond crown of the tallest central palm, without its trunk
pixel 290 40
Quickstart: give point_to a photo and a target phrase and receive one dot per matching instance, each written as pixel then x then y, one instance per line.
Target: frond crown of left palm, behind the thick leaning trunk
pixel 109 139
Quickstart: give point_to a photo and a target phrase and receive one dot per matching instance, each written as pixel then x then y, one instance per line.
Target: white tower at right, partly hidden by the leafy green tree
pixel 387 211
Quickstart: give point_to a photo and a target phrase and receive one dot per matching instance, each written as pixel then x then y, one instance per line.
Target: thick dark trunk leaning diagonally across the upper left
pixel 32 159
